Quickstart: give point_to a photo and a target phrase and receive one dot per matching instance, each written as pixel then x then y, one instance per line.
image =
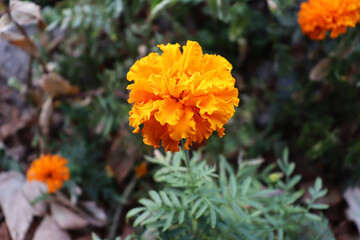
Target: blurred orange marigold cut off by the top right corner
pixel 316 17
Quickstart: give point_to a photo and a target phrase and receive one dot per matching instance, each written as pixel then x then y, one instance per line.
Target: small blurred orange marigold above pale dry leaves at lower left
pixel 50 169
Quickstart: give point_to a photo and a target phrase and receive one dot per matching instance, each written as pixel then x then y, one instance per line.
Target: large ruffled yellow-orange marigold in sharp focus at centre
pixel 179 95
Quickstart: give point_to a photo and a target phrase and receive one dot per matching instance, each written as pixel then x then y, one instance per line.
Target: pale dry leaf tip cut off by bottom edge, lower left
pixel 48 229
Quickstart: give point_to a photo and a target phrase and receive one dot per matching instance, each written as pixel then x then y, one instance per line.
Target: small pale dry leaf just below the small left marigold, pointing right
pixel 65 218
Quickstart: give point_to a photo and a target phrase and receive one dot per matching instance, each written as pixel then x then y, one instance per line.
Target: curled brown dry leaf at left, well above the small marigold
pixel 56 86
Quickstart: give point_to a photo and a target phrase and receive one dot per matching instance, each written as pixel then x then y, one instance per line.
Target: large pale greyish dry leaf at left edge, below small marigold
pixel 17 210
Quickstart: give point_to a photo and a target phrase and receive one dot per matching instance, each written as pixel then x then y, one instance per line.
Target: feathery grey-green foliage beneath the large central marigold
pixel 197 203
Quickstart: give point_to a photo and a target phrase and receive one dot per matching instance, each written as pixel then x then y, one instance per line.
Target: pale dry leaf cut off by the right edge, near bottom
pixel 352 197
